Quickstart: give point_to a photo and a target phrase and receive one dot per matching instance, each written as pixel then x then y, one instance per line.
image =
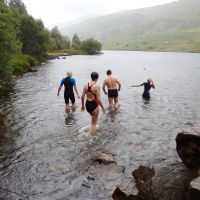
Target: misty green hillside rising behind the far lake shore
pixel 170 27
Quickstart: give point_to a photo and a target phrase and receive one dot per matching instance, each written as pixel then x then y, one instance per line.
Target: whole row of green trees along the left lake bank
pixel 21 34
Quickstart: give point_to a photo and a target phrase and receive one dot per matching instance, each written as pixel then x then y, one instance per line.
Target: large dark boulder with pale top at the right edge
pixel 188 147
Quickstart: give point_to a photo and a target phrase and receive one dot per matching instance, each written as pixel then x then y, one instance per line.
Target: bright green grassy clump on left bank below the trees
pixel 22 63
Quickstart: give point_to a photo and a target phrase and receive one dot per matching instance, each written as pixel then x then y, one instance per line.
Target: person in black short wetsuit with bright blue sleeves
pixel 70 85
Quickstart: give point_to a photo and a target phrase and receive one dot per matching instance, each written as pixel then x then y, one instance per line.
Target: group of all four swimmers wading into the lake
pixel 92 92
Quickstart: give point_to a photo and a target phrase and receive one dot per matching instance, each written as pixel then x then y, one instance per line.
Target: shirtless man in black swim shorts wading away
pixel 113 85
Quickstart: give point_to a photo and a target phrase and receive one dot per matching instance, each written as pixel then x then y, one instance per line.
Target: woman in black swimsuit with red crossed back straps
pixel 92 91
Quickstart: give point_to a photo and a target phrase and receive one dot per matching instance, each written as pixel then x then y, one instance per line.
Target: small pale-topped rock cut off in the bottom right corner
pixel 195 189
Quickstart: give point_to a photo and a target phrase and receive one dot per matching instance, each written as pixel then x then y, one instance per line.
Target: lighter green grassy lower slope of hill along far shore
pixel 188 41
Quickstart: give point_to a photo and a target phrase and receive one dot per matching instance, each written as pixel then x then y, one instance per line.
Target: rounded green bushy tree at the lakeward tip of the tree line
pixel 91 46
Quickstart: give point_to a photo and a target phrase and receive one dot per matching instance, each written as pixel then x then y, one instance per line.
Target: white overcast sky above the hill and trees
pixel 65 11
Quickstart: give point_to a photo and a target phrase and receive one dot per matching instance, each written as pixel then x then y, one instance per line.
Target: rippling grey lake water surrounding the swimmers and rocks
pixel 43 154
